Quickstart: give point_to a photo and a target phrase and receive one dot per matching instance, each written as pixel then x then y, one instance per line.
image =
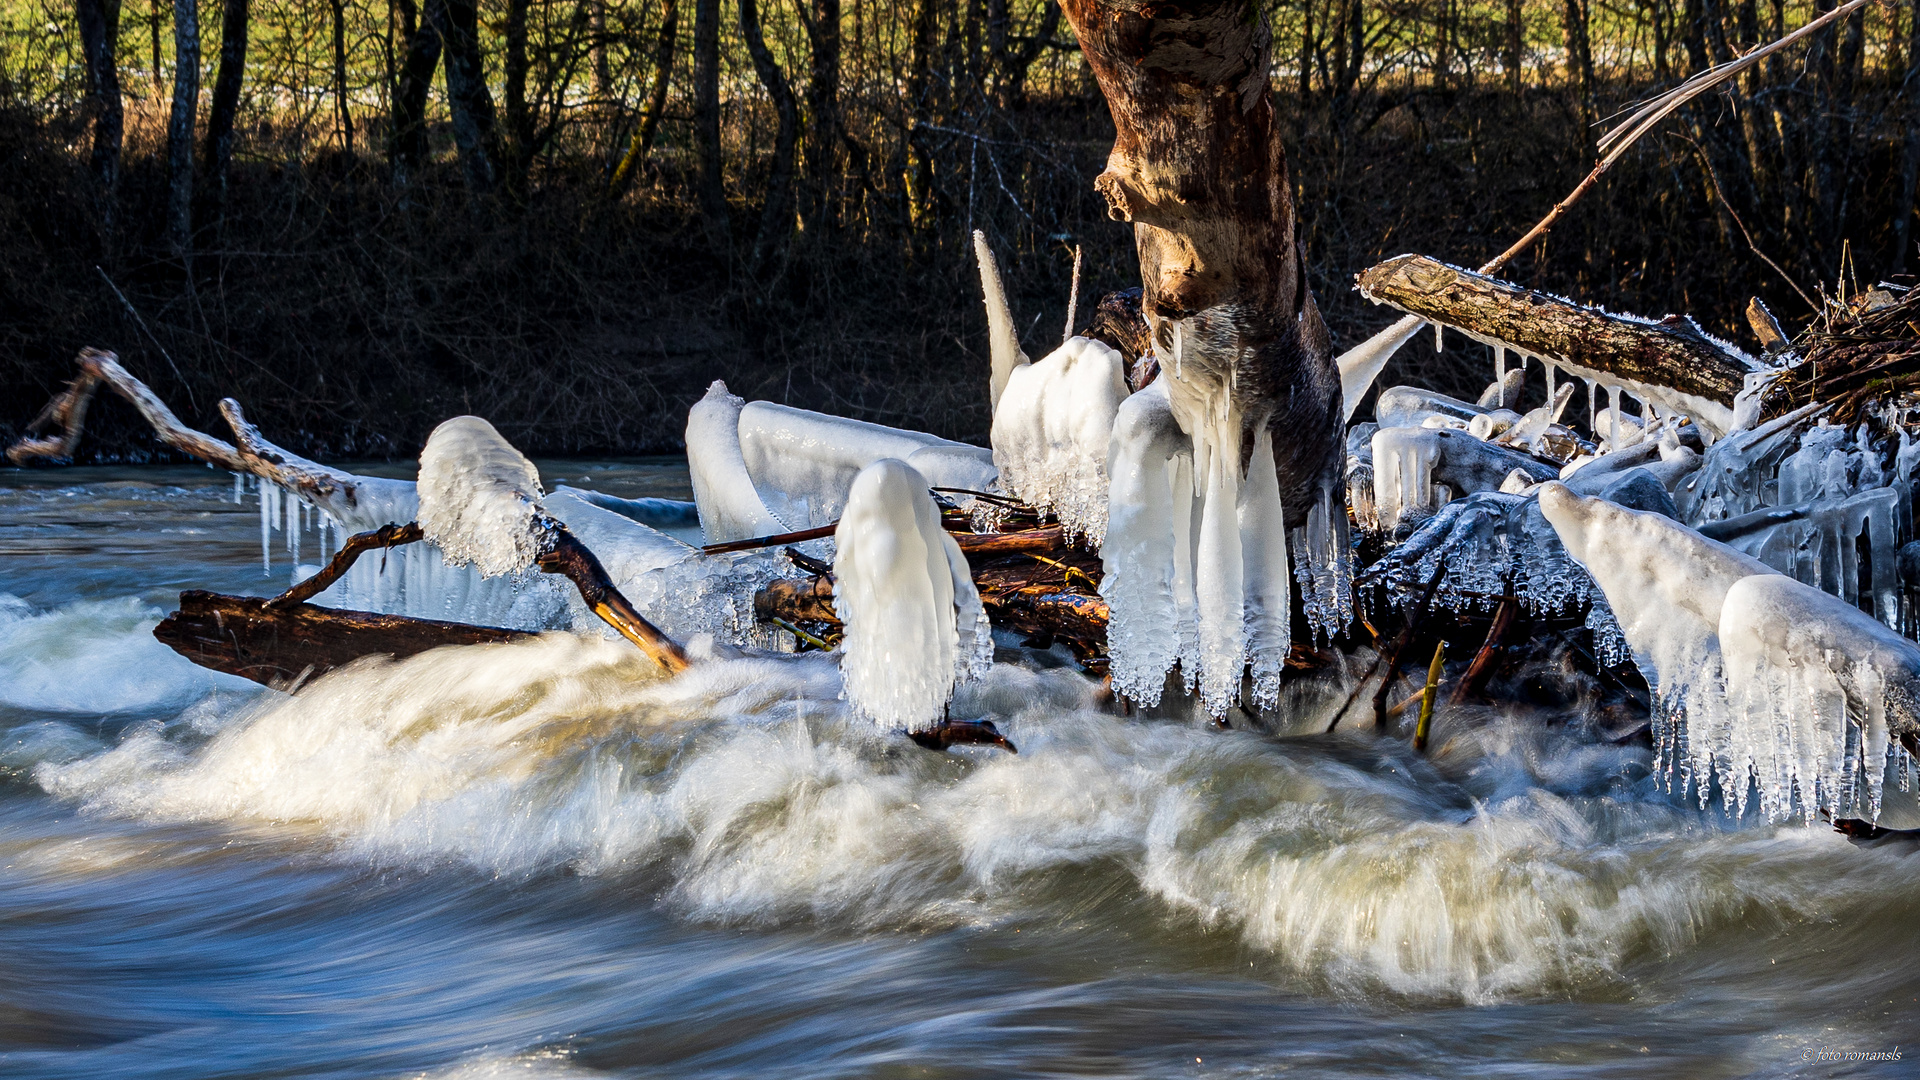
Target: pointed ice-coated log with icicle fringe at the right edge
pixel 1765 683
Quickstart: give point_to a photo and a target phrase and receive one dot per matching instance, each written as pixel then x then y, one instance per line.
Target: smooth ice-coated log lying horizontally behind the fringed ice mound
pixel 804 464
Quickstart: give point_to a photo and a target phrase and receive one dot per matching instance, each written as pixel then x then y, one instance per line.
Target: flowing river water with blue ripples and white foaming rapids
pixel 544 860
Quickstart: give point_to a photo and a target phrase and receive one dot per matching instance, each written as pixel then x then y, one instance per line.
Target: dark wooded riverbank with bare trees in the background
pixel 569 216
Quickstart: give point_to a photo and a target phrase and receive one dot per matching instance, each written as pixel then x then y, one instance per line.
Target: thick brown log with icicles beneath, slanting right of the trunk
pixel 1669 362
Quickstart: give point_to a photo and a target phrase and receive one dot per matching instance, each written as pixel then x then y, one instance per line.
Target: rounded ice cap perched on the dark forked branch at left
pixel 479 499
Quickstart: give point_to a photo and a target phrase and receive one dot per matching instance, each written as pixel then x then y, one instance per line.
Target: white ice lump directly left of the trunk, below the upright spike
pixel 1051 433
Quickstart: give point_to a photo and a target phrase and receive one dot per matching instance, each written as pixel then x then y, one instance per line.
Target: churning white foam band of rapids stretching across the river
pixel 1520 862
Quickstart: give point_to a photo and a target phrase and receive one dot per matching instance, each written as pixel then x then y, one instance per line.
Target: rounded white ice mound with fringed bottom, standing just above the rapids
pixel 913 620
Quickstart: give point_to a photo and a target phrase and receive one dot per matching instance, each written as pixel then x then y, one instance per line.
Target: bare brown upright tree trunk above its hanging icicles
pixel 1199 170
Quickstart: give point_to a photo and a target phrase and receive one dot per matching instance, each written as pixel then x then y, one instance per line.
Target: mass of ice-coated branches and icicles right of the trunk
pixel 1787 689
